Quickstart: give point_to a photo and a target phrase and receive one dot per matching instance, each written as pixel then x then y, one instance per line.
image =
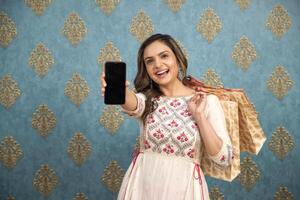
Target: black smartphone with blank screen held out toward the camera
pixel 115 77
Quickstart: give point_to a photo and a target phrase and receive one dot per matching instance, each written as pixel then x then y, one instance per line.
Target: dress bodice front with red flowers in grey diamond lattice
pixel 170 129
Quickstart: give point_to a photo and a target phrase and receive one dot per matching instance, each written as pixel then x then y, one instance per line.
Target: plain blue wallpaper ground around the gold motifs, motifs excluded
pixel 33 29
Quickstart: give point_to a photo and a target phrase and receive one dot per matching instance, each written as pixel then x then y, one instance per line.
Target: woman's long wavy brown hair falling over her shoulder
pixel 143 82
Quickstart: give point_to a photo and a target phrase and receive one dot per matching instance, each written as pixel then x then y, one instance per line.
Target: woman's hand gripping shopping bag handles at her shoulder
pixel 197 104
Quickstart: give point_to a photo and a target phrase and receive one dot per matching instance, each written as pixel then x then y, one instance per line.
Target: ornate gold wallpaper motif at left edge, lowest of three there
pixel 10 152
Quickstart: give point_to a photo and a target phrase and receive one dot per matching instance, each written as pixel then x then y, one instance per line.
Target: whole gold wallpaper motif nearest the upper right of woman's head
pixel 209 25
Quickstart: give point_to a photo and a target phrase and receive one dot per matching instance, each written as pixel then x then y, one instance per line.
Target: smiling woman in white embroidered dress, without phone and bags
pixel 176 124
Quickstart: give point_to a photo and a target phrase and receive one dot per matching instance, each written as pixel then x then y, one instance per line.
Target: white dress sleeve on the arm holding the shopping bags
pixel 215 115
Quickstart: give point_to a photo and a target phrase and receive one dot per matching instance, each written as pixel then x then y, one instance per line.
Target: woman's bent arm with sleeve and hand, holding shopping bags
pixel 209 116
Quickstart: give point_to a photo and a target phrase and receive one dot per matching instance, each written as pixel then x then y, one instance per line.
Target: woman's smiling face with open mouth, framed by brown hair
pixel 161 63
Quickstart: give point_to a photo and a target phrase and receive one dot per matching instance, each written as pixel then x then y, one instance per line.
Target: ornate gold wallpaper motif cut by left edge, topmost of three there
pixel 8 29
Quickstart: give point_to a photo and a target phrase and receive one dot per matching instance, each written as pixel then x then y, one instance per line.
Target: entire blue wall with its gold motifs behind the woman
pixel 49 89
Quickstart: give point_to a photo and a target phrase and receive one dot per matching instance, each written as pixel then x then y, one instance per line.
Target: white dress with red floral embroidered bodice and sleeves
pixel 168 164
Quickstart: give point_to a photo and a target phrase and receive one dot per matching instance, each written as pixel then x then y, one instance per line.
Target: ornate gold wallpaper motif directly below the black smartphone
pixel 111 118
